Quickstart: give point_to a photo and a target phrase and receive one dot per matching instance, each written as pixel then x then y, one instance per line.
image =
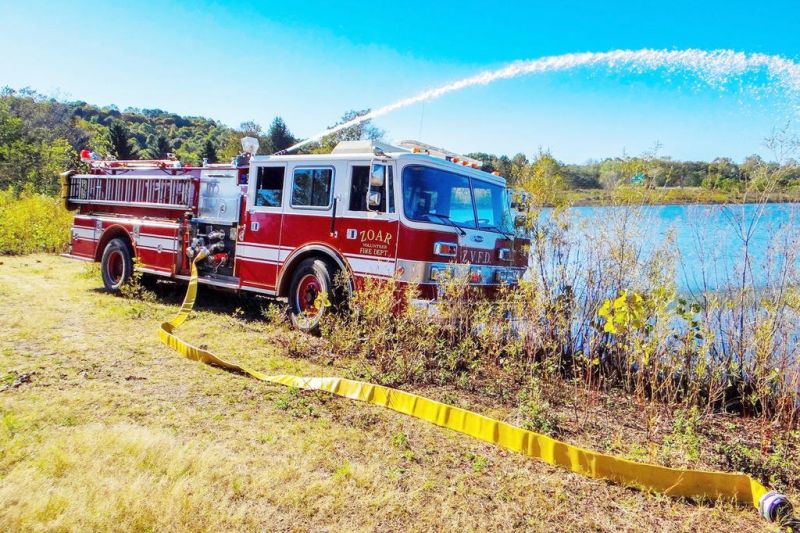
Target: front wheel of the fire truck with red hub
pixel 312 277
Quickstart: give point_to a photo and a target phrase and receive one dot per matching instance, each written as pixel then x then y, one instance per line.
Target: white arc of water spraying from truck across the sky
pixel 713 67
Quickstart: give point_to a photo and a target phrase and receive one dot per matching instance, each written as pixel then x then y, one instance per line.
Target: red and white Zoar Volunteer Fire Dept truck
pixel 286 225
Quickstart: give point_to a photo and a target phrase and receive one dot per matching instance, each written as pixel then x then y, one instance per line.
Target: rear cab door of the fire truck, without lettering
pixel 258 248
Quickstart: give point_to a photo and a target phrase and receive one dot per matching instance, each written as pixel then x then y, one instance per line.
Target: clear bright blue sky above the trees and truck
pixel 311 61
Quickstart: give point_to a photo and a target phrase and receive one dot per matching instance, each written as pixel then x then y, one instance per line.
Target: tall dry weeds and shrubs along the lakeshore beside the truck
pixel 612 320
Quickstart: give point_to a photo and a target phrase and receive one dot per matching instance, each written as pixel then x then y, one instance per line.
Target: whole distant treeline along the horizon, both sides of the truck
pixel 42 136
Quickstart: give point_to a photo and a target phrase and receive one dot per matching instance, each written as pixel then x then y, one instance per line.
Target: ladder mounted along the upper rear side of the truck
pixel 139 190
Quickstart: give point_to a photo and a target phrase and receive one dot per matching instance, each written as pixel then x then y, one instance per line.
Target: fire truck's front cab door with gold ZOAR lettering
pixel 368 228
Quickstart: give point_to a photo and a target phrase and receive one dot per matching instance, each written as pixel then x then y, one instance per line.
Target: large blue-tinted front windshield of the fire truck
pixel 430 194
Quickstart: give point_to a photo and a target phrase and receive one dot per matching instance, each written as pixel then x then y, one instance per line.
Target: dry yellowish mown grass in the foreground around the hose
pixel 105 428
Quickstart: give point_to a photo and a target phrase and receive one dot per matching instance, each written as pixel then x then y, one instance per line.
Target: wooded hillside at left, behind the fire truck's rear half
pixel 41 136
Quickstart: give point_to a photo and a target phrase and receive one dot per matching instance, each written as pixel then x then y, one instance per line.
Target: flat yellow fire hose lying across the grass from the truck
pixel 695 484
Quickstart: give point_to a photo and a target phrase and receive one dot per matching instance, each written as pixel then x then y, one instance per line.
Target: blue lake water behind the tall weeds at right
pixel 709 237
